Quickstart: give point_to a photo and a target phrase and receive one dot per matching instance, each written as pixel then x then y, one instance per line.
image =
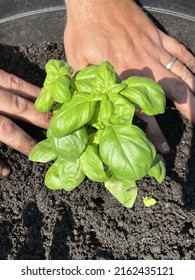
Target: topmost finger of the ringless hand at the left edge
pixel 18 86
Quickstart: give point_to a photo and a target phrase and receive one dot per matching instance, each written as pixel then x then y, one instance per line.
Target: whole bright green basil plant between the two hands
pixel 92 133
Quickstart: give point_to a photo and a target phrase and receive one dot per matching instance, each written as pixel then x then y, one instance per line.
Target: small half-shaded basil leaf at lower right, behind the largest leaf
pixel 158 170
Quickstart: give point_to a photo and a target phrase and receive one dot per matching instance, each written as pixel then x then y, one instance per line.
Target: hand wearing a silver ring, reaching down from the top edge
pixel 119 32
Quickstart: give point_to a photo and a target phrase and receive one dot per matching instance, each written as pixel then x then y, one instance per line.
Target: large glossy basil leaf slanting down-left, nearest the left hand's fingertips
pixel 73 115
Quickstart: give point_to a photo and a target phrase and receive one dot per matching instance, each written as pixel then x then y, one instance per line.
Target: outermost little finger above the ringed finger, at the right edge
pixel 178 50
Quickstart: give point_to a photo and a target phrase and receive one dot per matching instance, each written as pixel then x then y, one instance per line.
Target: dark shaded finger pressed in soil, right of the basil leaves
pixel 154 133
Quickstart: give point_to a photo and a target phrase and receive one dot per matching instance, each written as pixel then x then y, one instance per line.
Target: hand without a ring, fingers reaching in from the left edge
pixel 17 97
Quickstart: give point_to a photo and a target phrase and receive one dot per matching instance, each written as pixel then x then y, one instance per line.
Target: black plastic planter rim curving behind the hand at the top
pixel 45 23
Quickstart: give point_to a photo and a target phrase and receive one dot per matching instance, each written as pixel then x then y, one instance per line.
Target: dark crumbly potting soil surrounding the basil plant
pixel 88 223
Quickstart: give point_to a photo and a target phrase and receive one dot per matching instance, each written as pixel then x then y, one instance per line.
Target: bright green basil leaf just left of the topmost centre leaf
pixel 85 79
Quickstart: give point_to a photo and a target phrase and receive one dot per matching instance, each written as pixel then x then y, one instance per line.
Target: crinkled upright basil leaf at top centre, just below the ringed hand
pixel 105 76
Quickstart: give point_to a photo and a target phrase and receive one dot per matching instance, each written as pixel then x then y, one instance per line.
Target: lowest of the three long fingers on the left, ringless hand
pixel 13 136
